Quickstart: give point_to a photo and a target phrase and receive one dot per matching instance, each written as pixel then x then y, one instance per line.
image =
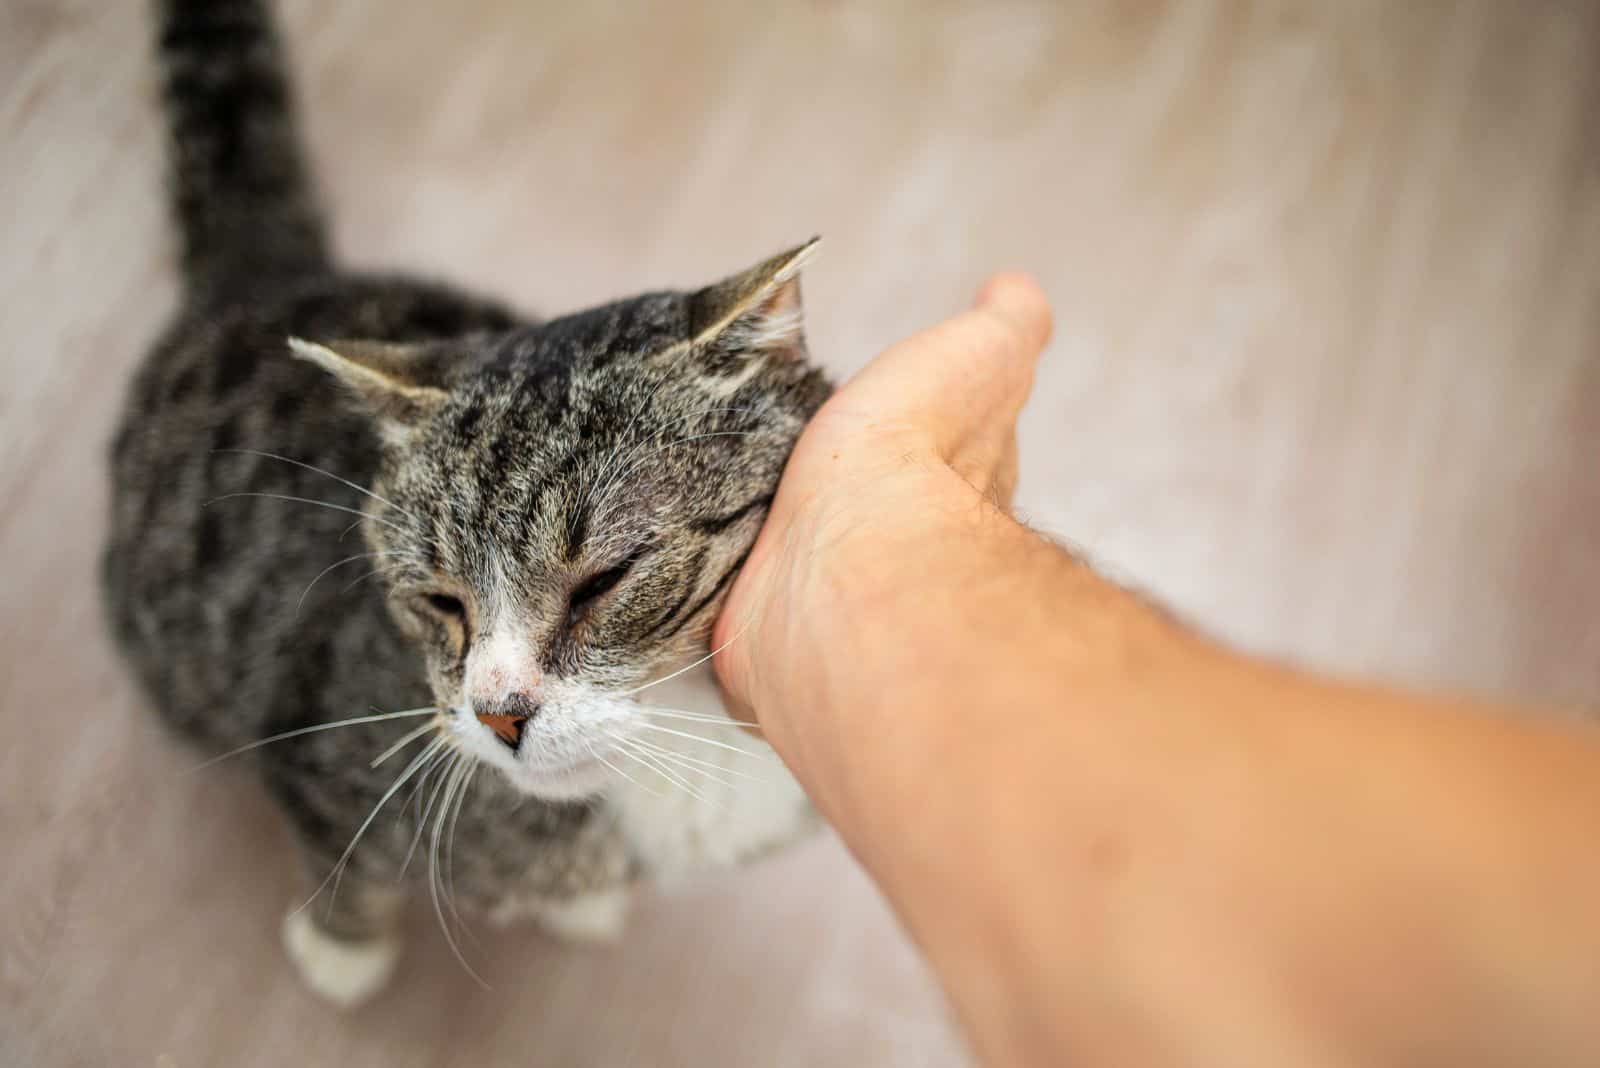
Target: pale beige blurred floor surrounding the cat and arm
pixel 1327 378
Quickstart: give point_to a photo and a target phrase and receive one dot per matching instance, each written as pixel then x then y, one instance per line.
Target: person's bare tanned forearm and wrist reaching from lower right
pixel 1119 842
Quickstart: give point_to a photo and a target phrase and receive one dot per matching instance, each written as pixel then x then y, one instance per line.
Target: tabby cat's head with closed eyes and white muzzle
pixel 564 508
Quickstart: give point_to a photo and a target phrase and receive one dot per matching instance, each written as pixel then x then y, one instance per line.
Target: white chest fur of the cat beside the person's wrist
pixel 714 797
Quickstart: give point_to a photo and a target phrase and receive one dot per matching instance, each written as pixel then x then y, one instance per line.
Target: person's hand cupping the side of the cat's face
pixel 918 440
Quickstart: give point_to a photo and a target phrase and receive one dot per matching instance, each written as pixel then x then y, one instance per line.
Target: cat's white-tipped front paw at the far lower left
pixel 346 946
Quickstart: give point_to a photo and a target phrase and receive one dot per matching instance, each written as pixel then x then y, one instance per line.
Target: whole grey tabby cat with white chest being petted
pixel 550 519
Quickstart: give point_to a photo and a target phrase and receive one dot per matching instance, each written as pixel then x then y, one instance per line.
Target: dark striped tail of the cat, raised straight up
pixel 241 189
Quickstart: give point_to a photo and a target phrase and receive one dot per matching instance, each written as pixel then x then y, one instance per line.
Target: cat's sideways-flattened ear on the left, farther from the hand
pixel 401 385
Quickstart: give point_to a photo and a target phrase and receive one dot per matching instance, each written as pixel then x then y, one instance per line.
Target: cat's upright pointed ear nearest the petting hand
pixel 751 319
